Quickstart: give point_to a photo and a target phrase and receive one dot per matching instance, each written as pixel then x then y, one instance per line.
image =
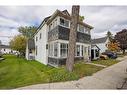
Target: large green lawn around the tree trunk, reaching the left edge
pixel 17 72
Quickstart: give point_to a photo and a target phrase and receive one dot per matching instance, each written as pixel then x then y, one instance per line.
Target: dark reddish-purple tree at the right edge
pixel 121 37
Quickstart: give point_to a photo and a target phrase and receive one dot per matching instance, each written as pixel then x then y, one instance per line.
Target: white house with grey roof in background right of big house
pixel 101 43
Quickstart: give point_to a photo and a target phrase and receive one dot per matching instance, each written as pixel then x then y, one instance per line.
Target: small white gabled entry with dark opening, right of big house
pixel 95 52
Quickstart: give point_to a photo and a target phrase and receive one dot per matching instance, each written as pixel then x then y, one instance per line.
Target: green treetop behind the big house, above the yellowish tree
pixel 27 31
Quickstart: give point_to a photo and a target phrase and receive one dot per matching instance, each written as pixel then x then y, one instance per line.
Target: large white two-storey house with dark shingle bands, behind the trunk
pixel 52 38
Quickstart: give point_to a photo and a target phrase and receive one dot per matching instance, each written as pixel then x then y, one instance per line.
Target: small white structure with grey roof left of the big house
pixel 30 49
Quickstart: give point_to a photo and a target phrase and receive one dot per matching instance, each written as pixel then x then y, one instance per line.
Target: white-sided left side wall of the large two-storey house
pixel 41 45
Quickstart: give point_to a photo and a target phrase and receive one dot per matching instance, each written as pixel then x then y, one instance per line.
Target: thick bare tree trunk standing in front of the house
pixel 72 37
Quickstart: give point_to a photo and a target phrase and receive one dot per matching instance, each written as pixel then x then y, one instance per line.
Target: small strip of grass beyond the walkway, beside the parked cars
pixel 107 62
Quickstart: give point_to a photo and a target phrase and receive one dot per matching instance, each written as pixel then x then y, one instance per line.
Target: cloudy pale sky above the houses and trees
pixel 102 18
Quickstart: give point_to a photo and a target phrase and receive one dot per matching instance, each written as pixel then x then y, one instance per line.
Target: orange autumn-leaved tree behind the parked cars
pixel 113 46
